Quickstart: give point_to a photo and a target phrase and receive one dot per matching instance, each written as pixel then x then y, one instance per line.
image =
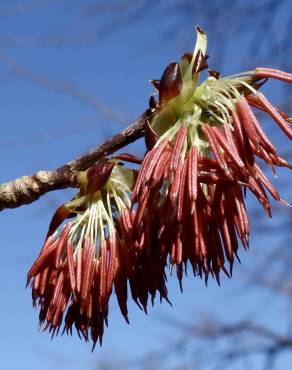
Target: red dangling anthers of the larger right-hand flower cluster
pixel 187 224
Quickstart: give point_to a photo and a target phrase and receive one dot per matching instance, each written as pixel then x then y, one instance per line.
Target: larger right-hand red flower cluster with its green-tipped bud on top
pixel 202 142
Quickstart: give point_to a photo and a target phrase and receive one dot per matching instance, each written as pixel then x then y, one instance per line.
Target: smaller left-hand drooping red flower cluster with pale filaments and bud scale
pixel 81 261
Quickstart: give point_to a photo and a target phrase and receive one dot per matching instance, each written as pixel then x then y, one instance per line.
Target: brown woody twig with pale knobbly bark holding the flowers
pixel 28 189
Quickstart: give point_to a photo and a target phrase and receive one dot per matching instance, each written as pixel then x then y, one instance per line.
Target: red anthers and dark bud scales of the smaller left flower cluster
pixel 82 278
